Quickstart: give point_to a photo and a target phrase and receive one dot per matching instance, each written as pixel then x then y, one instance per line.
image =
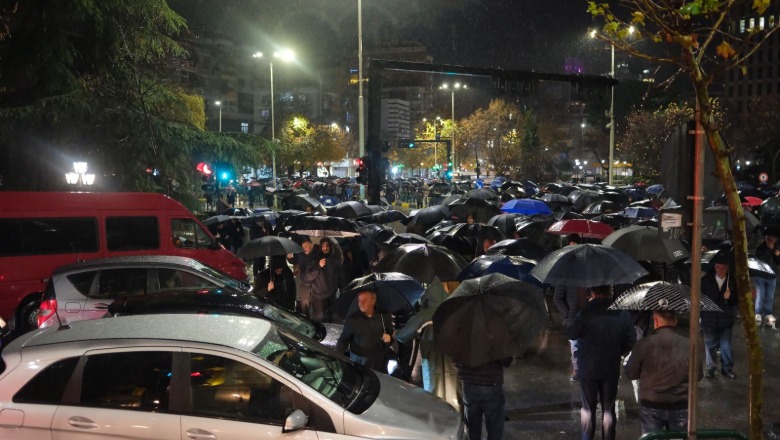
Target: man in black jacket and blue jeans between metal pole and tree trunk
pixel 720 287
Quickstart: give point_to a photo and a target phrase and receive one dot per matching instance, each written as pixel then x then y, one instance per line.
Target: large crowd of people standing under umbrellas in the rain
pixel 406 287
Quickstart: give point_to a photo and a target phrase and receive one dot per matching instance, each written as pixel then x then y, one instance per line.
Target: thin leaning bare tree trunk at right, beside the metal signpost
pixel 739 238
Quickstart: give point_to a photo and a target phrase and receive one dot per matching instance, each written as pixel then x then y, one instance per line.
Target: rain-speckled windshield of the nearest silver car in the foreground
pixel 326 372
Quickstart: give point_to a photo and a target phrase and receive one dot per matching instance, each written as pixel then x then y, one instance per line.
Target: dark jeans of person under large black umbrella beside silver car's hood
pixel 484 403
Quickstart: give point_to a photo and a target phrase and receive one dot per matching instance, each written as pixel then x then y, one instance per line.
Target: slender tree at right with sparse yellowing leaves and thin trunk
pixel 698 39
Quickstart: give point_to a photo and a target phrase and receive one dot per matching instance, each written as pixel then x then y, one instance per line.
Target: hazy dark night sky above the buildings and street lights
pixel 516 34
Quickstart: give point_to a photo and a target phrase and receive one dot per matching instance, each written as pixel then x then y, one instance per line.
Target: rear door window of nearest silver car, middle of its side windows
pixel 130 380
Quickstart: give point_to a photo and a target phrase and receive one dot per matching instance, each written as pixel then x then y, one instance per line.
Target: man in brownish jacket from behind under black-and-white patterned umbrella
pixel 660 362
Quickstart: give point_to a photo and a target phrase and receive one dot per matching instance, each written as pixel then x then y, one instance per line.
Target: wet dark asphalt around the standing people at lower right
pixel 543 404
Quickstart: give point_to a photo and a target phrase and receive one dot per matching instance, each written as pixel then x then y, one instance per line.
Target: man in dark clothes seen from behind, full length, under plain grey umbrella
pixel 603 336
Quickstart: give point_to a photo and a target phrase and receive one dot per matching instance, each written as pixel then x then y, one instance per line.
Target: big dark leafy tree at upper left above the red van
pixel 96 80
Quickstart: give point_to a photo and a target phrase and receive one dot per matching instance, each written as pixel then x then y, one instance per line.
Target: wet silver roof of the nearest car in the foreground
pixel 239 332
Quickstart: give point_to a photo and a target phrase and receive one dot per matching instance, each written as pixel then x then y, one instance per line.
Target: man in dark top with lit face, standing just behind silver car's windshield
pixel 367 334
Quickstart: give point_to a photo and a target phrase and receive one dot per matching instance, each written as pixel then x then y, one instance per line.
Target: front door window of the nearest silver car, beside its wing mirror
pixel 227 388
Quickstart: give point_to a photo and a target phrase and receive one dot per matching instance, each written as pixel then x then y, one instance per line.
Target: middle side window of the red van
pixel 132 233
